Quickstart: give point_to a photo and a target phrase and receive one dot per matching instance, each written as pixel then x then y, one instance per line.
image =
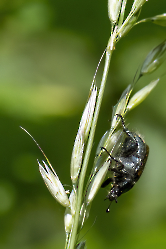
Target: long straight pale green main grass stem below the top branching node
pixel 72 240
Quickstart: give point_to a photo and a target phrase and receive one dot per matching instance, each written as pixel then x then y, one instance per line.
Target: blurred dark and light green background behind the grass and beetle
pixel 49 51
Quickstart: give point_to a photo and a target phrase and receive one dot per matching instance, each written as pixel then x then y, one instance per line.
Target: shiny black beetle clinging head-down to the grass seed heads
pixel 130 160
